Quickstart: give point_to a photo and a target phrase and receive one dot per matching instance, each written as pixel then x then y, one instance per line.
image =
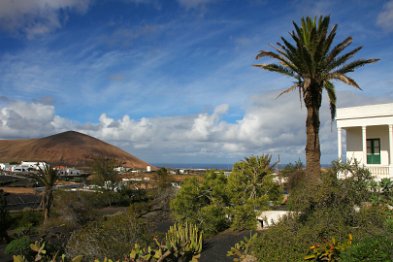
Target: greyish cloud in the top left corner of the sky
pixel 38 17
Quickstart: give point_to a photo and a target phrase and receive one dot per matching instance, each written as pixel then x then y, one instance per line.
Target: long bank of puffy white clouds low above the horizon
pixel 275 126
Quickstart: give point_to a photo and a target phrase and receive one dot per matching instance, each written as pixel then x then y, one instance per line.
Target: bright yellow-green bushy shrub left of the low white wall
pixel 217 202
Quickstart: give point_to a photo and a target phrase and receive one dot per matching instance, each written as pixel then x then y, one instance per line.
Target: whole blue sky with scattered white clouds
pixel 172 81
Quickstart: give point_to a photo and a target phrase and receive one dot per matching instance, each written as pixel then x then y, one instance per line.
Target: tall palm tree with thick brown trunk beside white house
pixel 314 63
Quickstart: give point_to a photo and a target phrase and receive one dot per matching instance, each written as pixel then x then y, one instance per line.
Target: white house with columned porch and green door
pixel 369 137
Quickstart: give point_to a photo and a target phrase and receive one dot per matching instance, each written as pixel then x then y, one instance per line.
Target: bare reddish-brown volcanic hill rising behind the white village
pixel 69 148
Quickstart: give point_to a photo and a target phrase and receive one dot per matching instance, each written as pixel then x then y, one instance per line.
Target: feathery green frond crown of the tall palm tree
pixel 312 60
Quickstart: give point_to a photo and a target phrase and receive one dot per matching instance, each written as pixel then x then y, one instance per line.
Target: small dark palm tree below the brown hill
pixel 47 176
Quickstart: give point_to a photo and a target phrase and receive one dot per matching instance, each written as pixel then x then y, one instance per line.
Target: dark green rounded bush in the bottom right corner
pixel 373 248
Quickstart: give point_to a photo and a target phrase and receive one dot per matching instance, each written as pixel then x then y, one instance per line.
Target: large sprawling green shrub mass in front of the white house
pixel 326 210
